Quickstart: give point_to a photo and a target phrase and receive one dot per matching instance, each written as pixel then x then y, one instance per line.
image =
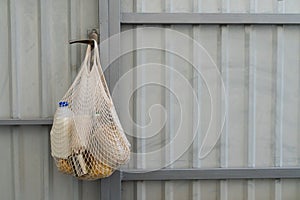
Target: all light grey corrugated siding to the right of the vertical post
pixel 260 69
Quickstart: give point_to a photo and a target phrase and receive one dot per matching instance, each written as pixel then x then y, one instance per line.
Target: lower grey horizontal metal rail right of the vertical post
pixel 212 174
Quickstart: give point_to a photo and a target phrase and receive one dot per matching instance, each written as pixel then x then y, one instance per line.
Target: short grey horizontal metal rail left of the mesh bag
pixel 29 122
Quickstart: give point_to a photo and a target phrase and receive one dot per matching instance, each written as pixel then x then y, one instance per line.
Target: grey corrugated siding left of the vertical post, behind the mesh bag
pixel 37 66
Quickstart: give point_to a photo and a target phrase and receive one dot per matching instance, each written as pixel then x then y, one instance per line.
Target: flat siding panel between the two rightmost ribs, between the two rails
pixel 265 95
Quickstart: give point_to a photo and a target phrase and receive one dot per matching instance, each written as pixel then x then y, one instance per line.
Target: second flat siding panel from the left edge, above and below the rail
pixel 24 29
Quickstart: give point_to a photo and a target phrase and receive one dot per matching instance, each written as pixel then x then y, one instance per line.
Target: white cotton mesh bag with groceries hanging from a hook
pixel 87 139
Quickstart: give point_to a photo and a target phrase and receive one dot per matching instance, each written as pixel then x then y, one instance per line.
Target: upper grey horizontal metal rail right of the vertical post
pixel 209 18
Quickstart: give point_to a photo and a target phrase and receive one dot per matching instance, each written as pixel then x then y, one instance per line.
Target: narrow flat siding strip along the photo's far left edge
pixel 6 166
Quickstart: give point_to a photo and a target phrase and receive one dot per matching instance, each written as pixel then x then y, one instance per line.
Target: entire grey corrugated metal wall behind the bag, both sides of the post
pixel 260 66
